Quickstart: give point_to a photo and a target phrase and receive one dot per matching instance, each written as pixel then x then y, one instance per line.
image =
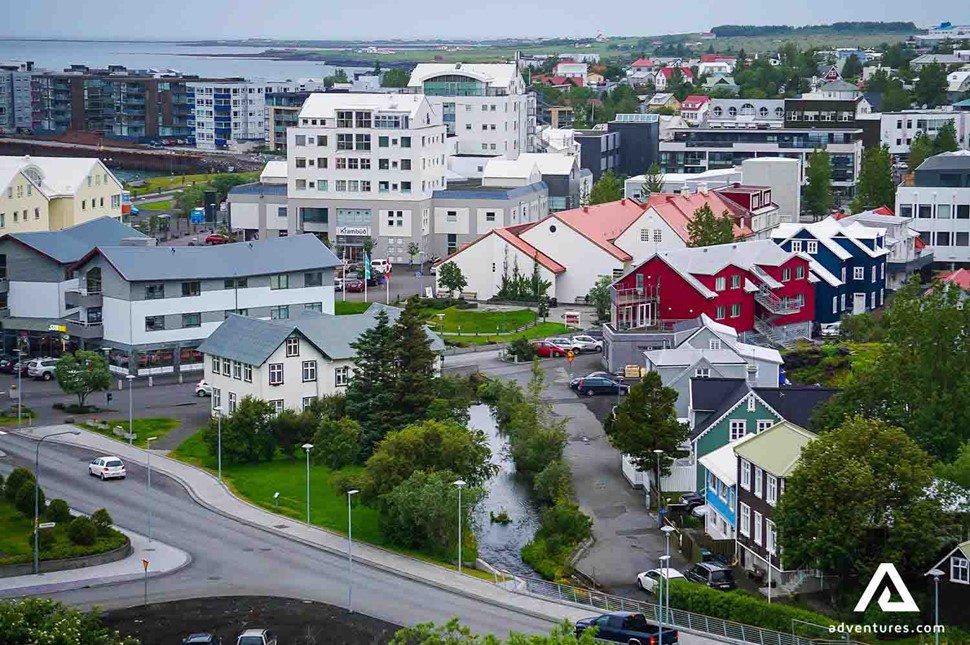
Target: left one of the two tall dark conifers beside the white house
pixel 370 395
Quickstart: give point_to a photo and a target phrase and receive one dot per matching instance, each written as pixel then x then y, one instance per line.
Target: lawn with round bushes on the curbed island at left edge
pixel 16 545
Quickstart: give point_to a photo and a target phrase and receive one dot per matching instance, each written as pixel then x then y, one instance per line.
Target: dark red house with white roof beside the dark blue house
pixel 755 287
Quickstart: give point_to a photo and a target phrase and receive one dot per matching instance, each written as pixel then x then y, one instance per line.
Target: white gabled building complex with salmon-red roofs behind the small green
pixel 574 248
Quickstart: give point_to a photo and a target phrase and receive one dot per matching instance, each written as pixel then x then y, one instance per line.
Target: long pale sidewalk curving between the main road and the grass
pixel 205 489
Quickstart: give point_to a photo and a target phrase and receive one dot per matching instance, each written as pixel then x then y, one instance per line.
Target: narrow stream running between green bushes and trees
pixel 500 544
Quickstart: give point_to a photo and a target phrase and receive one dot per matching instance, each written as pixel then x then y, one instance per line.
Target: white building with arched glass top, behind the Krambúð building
pixel 486 107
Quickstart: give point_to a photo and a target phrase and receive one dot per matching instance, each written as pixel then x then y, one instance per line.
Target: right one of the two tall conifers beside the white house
pixel 413 387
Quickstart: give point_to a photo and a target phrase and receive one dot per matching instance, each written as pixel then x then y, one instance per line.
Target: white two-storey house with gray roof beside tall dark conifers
pixel 288 362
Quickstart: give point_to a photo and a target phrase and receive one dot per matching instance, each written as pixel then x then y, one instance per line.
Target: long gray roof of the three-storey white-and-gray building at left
pixel 265 257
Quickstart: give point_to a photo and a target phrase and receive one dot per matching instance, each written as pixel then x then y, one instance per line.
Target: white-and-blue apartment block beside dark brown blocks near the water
pixel 229 111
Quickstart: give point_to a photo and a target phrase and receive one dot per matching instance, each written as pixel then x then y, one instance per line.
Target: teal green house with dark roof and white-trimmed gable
pixel 724 410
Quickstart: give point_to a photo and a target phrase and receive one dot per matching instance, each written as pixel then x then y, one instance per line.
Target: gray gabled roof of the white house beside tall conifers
pixel 253 340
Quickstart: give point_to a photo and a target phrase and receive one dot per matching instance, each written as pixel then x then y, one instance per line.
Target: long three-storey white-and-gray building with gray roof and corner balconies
pixel 153 306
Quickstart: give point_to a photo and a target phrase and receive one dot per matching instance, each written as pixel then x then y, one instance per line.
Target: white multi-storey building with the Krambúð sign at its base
pixel 365 165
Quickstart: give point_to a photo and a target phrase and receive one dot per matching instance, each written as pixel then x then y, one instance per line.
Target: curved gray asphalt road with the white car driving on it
pixel 231 558
